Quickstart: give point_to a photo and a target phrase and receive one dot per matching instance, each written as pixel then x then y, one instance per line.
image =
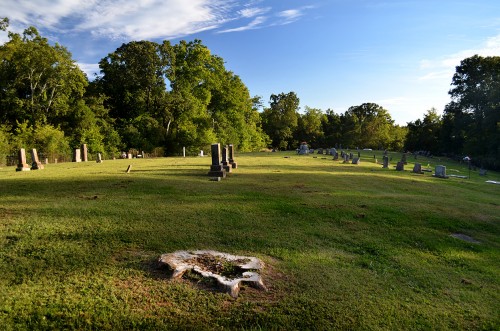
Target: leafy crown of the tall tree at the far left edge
pixel 38 82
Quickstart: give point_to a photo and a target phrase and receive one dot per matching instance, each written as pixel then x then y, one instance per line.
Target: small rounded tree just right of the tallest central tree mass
pixel 280 120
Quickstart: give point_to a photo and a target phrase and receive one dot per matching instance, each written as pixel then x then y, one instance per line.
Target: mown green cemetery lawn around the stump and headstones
pixel 345 246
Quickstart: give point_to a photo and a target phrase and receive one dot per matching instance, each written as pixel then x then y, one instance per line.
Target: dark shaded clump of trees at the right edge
pixel 470 123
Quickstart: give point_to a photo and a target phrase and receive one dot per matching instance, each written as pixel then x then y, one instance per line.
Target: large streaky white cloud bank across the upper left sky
pixel 145 19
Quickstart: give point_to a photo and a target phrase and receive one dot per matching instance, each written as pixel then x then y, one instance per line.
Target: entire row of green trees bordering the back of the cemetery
pixel 160 97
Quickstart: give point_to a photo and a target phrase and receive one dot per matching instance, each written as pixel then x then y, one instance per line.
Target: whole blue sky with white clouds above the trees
pixel 400 54
